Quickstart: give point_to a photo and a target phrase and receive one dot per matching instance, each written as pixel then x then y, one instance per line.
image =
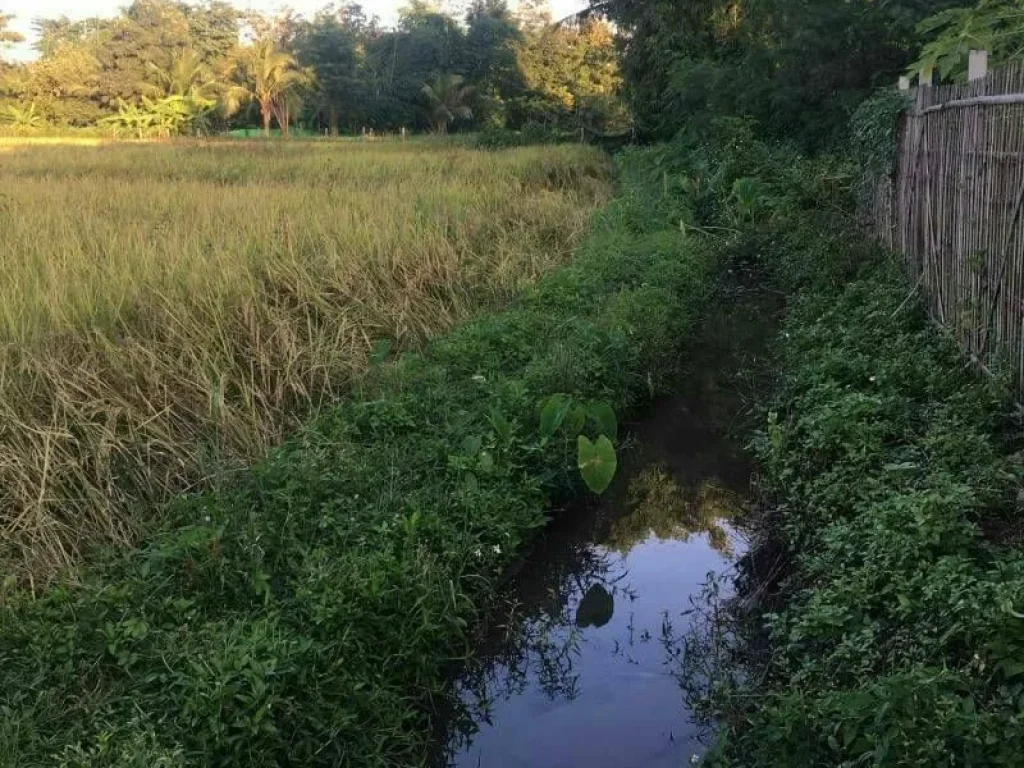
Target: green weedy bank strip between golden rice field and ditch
pixel 306 616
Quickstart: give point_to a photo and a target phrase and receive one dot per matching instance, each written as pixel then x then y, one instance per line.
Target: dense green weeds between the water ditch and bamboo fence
pixel 893 478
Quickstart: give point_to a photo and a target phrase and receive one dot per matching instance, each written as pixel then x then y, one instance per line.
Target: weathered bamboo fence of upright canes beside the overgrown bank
pixel 954 209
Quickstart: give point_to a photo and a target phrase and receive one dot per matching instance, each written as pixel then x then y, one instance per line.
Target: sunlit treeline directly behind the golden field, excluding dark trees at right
pixel 165 67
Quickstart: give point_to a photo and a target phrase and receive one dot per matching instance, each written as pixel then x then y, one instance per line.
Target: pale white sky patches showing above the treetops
pixel 26 11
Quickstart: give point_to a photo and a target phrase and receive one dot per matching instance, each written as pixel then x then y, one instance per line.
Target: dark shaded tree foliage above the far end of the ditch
pixel 798 69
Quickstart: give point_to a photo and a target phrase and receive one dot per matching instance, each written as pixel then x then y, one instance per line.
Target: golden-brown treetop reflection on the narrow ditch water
pixel 668 511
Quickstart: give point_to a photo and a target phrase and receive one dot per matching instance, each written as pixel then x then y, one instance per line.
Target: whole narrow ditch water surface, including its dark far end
pixel 580 666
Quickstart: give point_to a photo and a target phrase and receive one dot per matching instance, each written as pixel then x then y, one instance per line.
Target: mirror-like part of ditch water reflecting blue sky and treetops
pixel 578 671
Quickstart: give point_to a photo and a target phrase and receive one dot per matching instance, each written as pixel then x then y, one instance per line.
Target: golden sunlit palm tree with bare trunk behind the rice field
pixel 273 80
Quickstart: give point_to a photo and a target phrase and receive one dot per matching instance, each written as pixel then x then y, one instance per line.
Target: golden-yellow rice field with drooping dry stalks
pixel 167 311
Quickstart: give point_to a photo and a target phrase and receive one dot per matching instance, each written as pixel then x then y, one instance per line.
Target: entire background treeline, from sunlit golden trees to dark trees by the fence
pixel 797 70
